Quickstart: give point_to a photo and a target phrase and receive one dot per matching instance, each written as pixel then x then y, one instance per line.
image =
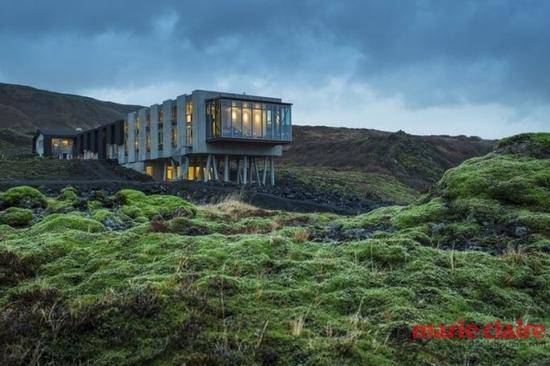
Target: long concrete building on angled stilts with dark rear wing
pixel 204 135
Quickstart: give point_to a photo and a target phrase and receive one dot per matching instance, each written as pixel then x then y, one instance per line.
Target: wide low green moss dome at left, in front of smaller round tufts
pixel 62 222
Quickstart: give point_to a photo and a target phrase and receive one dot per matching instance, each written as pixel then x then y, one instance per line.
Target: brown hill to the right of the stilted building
pixel 417 161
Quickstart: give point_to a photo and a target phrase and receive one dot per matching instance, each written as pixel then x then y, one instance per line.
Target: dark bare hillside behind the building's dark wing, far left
pixel 24 109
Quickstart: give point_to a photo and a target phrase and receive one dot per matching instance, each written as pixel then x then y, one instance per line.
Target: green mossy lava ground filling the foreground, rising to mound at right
pixel 135 279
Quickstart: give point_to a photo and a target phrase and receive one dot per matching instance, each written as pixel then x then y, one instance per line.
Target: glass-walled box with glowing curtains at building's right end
pixel 241 119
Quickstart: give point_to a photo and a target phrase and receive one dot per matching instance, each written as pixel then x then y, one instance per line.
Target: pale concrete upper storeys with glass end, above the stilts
pixel 207 122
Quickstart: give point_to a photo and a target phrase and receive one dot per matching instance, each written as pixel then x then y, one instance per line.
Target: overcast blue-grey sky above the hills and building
pixel 426 67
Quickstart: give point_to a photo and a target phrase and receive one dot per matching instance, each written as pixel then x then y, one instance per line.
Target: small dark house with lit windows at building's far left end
pixel 54 142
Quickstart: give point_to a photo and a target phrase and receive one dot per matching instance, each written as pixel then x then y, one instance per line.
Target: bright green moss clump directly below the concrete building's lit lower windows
pixel 136 204
